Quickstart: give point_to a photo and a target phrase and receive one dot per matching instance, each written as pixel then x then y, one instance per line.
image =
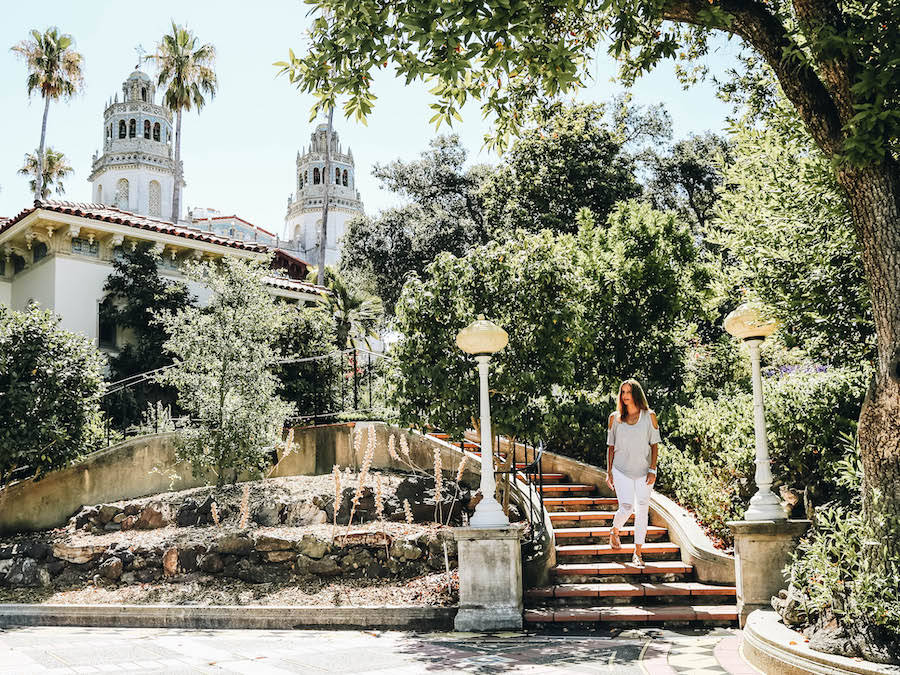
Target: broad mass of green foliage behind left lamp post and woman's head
pixel 576 309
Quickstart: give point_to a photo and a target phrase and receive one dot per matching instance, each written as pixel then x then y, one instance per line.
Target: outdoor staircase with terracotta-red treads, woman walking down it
pixel 595 583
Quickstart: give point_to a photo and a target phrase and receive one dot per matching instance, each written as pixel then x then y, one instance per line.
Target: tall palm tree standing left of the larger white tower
pixel 54 69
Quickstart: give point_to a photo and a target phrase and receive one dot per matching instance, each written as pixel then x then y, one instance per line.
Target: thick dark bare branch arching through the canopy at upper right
pixel 764 32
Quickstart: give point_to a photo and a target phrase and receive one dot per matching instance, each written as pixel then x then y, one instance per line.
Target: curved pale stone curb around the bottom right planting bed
pixel 774 648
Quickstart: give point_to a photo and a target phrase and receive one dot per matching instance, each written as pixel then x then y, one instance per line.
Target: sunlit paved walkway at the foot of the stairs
pixel 139 650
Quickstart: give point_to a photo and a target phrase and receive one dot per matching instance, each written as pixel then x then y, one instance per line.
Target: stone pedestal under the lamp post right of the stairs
pixel 762 549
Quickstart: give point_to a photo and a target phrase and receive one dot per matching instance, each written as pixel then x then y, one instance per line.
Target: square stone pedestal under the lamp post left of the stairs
pixel 490 579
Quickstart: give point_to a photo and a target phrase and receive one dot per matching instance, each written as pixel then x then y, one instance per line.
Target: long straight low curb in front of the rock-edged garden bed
pixel 227 617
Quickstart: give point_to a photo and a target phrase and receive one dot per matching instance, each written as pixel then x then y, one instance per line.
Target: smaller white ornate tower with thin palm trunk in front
pixel 304 211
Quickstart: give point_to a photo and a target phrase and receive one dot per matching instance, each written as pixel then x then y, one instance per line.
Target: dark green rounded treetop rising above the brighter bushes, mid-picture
pixel 569 161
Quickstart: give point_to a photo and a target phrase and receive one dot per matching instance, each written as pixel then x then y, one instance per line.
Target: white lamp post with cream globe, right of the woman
pixel 745 323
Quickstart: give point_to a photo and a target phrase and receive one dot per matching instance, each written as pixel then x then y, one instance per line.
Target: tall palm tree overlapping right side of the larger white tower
pixel 185 69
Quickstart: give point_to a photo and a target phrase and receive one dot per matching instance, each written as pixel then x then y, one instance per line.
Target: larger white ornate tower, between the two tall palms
pixel 136 171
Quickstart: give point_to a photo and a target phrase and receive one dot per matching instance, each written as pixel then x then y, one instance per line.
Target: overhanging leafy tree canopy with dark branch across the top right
pixel 837 64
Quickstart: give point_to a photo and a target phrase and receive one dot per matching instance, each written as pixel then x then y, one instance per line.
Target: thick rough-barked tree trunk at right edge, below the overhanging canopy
pixel 874 195
